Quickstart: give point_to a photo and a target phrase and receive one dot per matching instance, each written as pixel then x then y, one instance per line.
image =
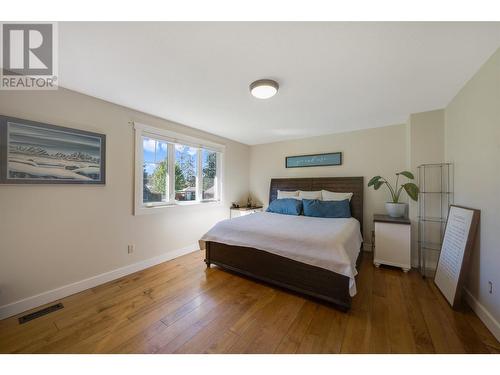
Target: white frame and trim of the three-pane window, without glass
pixel 173 138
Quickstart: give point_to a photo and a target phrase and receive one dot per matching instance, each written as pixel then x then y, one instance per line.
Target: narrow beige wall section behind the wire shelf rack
pixel 425 146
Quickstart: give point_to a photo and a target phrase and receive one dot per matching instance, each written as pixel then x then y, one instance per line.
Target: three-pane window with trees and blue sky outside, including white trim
pixel 173 170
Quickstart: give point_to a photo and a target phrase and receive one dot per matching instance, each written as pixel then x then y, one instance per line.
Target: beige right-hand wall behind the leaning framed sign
pixel 472 143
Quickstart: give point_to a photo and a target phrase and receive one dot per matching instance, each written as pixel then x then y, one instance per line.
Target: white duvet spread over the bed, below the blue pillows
pixel 332 244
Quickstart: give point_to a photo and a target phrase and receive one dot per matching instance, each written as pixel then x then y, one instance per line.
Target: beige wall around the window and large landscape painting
pixel 53 235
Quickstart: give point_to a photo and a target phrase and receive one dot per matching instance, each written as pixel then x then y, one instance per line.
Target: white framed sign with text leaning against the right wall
pixel 459 237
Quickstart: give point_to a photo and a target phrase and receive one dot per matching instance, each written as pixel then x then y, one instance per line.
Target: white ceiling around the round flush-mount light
pixel 333 77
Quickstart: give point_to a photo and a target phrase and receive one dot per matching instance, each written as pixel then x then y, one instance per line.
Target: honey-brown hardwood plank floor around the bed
pixel 181 307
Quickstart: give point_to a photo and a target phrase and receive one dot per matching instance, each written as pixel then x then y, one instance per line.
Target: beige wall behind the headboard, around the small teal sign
pixel 365 153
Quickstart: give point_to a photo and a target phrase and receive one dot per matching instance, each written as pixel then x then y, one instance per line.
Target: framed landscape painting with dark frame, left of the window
pixel 37 153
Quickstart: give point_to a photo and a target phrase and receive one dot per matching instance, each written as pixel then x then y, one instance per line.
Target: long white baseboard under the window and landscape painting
pixel 29 303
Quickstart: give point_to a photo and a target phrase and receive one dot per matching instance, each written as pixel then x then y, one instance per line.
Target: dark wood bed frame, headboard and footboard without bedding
pixel 287 273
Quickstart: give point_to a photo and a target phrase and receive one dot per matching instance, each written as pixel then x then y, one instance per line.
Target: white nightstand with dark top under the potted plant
pixel 392 241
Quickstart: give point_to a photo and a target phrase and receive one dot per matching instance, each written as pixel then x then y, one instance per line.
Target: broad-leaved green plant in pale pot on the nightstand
pixel 396 208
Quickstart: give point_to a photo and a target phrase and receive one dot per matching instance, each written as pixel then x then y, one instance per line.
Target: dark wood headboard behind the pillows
pixel 353 185
